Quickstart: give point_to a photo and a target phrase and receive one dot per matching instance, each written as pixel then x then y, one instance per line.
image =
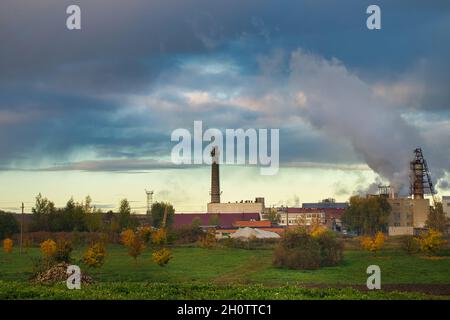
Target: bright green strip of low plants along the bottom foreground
pixel 154 291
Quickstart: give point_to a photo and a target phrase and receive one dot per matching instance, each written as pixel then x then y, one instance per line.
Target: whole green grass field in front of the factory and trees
pixel 199 273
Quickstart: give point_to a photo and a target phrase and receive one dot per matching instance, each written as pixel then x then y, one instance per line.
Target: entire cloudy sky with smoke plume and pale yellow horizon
pixel 91 111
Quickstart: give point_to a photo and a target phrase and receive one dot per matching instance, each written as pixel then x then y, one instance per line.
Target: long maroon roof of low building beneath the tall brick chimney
pixel 226 220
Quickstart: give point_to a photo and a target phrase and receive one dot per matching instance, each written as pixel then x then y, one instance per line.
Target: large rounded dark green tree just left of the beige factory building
pixel 367 215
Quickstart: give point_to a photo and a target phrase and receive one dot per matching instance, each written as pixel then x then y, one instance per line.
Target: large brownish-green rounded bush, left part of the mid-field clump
pixel 297 250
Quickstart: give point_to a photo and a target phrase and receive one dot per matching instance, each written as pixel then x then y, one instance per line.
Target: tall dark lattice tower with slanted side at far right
pixel 420 177
